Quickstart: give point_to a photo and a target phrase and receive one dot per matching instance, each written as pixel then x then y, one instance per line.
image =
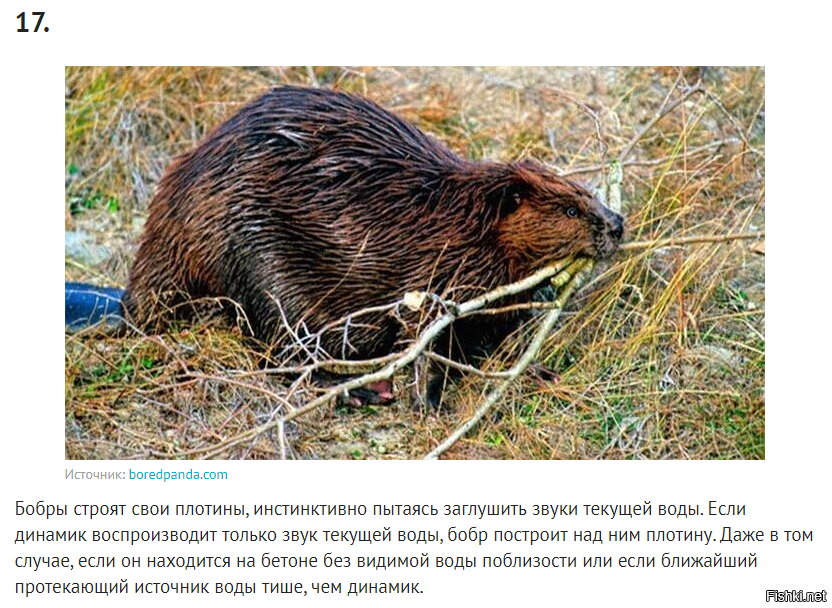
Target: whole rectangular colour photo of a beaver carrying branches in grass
pixel 399 263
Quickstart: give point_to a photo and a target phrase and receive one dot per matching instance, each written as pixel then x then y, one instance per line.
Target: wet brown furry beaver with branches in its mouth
pixel 311 204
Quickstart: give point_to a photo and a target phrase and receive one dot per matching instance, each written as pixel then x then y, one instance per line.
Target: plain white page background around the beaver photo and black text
pixel 788 491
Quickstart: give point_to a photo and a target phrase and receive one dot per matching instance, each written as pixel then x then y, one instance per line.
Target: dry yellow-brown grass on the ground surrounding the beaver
pixel 662 356
